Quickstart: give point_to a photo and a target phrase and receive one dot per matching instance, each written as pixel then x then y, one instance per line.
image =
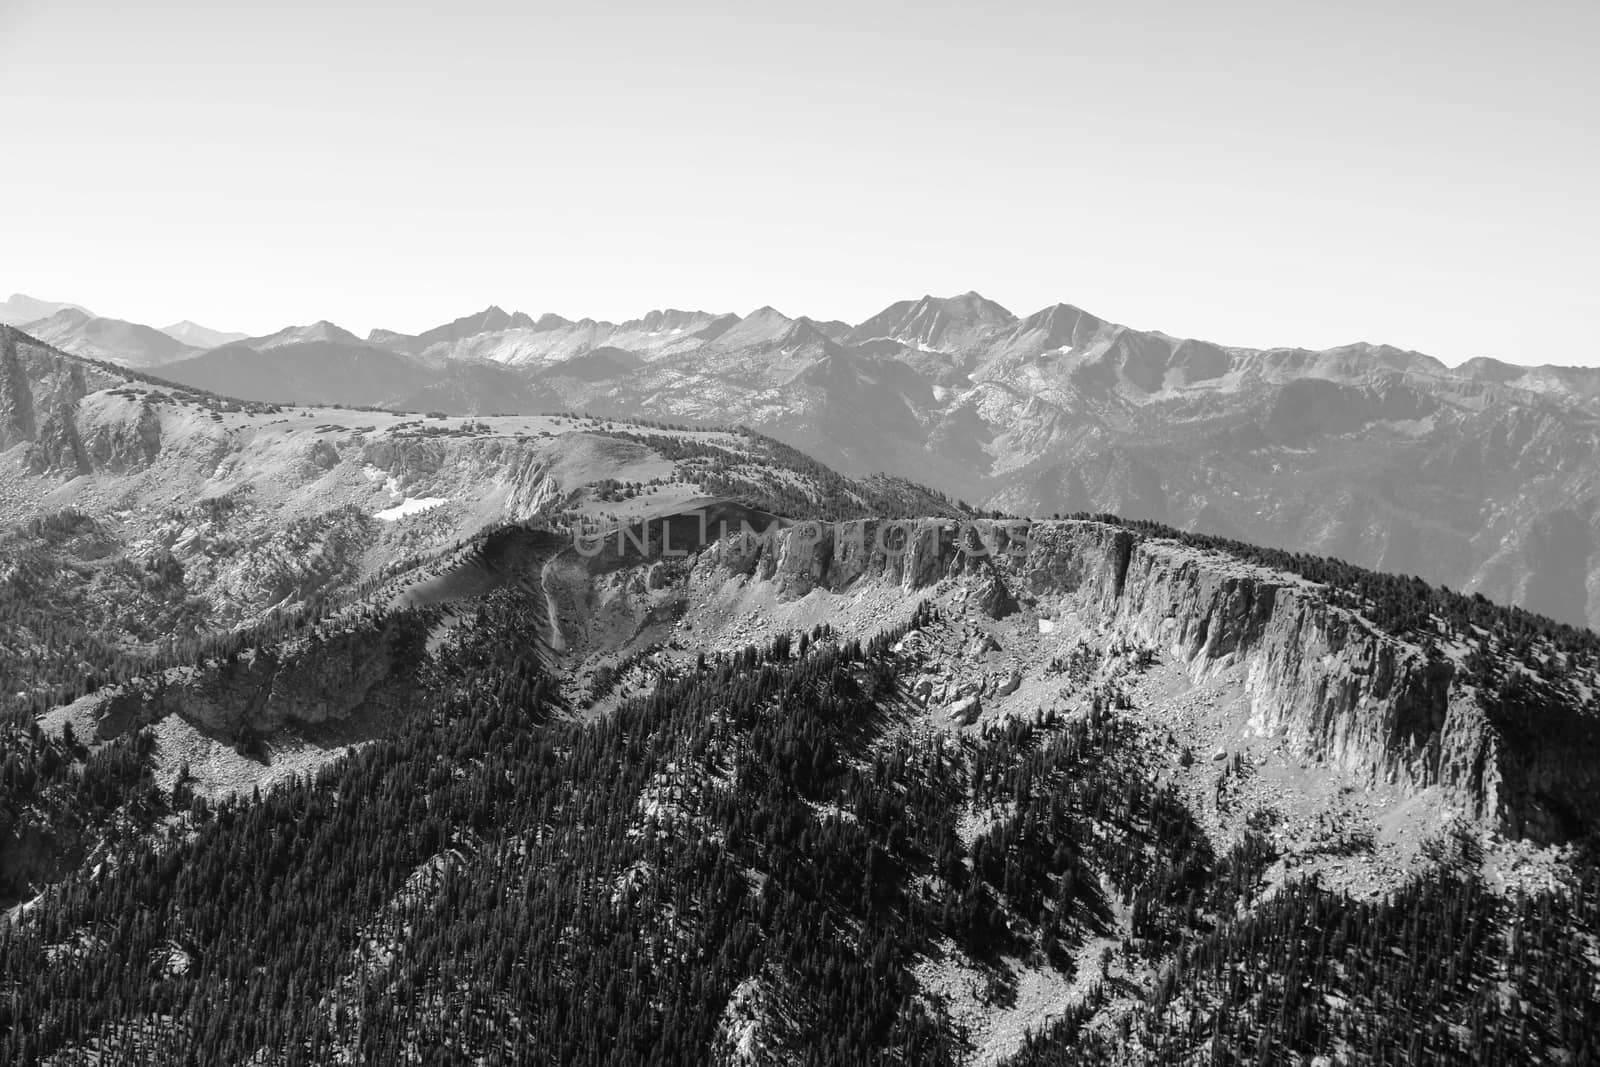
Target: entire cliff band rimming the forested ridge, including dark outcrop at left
pixel 1319 677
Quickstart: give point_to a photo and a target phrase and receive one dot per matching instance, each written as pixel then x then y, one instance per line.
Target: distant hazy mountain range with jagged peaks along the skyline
pixel 1484 476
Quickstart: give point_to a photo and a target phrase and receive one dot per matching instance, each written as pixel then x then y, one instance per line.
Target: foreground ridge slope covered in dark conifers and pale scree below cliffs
pixel 788 794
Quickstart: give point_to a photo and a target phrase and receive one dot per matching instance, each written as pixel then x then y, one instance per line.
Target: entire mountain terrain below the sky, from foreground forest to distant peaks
pixel 950 700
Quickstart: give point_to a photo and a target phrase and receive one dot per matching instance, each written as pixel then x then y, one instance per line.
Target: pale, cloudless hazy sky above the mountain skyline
pixel 1250 174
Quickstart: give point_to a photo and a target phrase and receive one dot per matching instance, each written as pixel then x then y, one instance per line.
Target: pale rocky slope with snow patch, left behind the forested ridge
pixel 158 513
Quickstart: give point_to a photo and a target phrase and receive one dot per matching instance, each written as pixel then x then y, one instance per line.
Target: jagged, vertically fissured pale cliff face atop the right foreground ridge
pixel 1318 676
